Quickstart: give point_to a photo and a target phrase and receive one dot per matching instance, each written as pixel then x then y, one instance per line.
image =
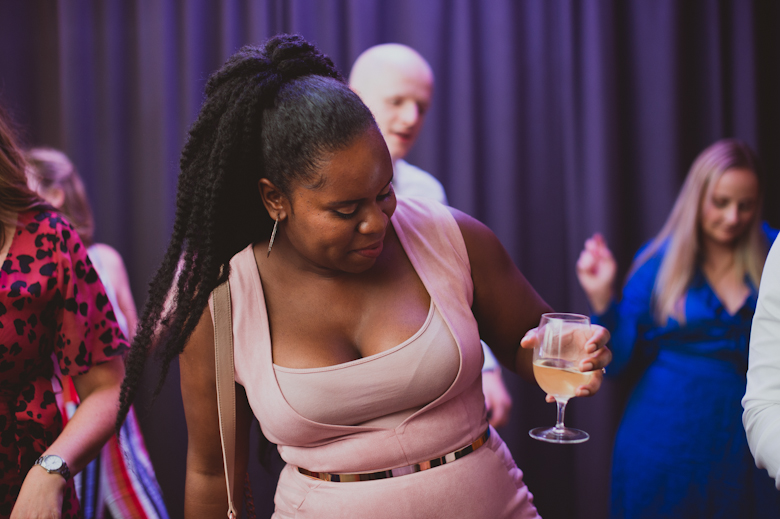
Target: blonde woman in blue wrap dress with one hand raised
pixel 684 319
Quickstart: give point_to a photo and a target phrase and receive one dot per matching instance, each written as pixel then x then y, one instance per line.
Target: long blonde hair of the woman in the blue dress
pixel 681 234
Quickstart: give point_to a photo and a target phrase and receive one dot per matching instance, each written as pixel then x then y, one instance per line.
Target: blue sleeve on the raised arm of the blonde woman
pixel 628 319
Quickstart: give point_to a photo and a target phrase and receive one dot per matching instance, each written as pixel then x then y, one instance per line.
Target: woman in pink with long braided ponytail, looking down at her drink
pixel 337 290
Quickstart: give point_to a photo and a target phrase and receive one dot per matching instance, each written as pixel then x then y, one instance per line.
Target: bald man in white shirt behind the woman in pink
pixel 396 83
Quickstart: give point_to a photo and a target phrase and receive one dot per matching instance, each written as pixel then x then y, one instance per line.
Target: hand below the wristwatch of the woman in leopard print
pixel 40 497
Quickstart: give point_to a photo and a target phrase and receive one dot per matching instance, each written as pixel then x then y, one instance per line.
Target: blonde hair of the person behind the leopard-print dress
pixel 52 169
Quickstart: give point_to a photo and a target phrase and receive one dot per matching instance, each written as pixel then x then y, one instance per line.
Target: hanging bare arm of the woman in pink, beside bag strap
pixel 205 491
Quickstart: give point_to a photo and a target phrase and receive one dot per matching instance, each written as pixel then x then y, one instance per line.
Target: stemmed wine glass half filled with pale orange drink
pixel 556 367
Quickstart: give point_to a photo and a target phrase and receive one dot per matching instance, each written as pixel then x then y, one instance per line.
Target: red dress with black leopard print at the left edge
pixel 53 309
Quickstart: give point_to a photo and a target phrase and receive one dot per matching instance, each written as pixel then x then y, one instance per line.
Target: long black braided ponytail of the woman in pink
pixel 274 111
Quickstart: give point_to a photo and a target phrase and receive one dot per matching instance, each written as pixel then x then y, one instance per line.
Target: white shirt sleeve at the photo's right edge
pixel 761 417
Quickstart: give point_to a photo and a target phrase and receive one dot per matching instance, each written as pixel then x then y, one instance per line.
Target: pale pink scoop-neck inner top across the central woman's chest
pixel 381 390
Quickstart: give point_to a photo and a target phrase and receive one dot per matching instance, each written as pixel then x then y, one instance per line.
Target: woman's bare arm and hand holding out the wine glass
pixel 508 309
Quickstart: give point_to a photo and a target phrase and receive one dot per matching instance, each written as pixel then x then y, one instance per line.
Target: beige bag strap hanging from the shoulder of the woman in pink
pixel 226 389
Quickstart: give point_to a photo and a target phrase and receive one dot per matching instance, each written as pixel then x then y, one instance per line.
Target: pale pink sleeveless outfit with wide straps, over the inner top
pixel 483 484
